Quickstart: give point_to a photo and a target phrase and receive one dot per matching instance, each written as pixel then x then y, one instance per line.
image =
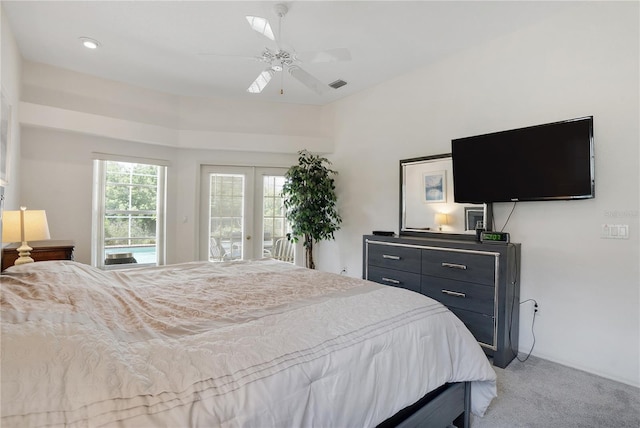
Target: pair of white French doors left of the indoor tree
pixel 241 212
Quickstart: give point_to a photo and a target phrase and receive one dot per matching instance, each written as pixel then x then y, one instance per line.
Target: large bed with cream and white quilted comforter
pixel 258 343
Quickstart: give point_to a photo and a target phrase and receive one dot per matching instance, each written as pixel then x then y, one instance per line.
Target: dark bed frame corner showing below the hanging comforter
pixel 445 406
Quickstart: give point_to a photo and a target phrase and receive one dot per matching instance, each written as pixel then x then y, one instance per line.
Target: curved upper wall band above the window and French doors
pixel 61 99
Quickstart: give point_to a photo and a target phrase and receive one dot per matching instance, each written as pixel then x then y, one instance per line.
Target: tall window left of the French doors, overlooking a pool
pixel 129 213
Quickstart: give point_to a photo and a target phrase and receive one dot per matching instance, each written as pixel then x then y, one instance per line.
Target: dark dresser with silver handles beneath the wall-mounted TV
pixel 479 283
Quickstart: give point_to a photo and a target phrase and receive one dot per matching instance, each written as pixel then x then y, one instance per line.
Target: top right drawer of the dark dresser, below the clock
pixel 461 266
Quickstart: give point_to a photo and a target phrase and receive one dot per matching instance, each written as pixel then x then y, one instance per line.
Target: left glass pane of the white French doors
pixel 226 212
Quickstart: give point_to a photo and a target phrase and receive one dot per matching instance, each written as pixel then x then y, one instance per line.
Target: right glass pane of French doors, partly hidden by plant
pixel 274 223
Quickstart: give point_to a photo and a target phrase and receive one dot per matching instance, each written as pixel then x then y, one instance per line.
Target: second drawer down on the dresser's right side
pixel 458 294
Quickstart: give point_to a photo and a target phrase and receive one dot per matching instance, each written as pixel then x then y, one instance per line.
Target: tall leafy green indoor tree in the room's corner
pixel 310 202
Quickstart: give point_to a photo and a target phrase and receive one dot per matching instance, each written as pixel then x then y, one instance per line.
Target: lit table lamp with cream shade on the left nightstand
pixel 23 226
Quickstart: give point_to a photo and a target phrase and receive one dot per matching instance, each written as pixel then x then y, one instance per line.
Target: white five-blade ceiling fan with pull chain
pixel 280 59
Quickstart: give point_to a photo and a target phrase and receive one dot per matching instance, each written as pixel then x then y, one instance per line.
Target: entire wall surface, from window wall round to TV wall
pixel 583 62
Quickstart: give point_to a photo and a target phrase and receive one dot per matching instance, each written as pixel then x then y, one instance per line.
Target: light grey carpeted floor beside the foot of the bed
pixel 539 393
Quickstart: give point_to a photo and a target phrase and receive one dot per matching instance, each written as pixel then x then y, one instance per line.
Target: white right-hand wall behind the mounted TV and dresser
pixel 583 62
